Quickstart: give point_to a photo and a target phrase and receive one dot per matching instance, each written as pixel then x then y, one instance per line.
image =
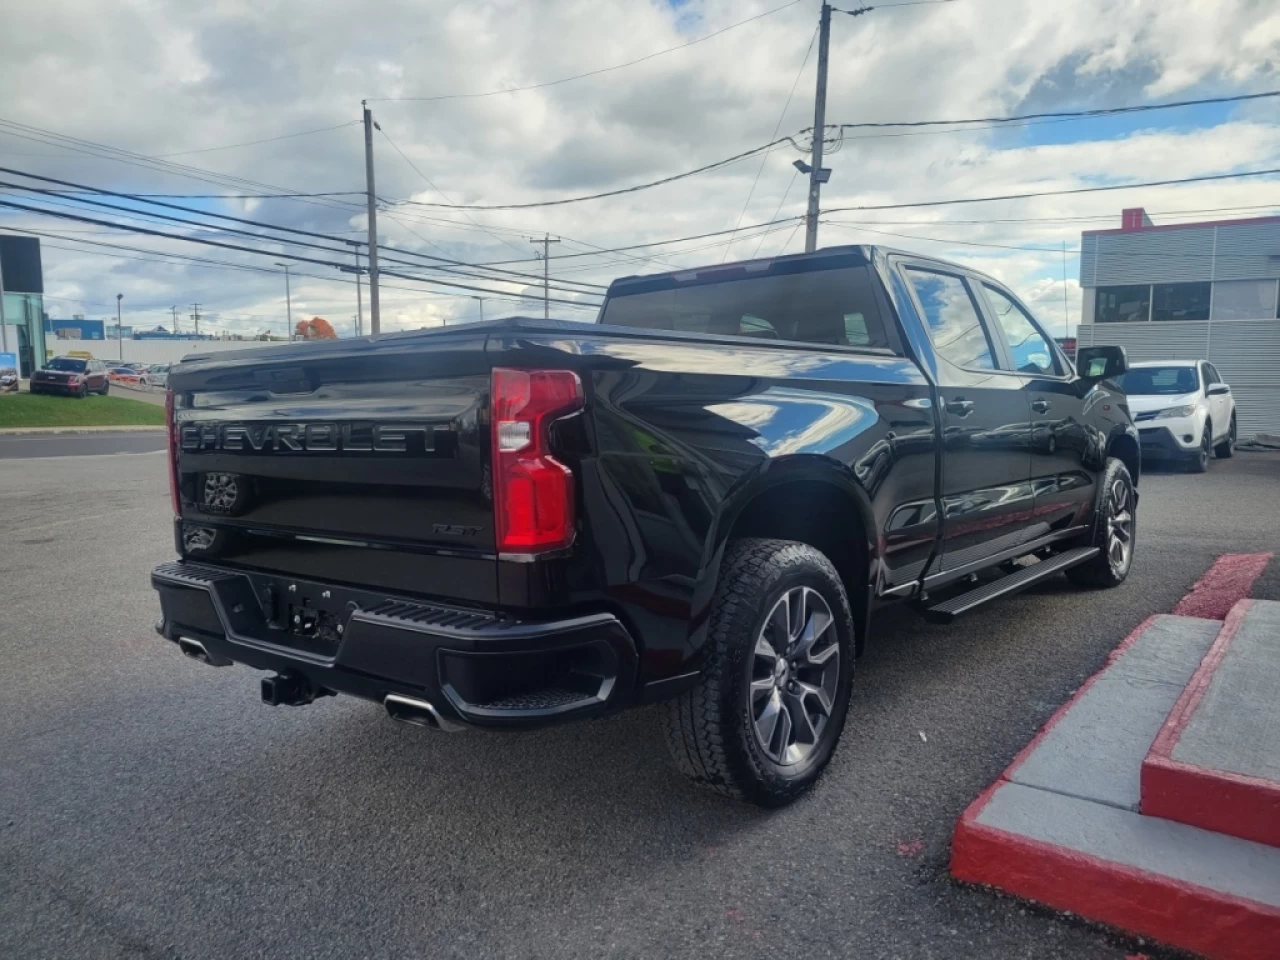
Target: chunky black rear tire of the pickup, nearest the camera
pixel 714 730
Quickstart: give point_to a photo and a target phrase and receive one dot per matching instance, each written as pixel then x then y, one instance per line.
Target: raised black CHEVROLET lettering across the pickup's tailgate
pixel 310 437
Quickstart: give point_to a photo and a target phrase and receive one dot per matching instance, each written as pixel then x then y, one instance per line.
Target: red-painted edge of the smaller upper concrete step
pixel 1200 797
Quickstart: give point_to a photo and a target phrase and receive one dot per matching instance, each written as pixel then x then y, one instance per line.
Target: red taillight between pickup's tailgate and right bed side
pixel 533 493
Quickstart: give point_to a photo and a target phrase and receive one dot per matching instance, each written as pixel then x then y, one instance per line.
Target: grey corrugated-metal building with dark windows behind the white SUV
pixel 1192 291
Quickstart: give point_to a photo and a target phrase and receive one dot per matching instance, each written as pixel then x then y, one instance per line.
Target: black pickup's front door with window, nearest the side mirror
pixel 1060 440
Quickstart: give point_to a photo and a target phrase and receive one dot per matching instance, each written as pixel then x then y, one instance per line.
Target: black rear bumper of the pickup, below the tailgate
pixel 476 669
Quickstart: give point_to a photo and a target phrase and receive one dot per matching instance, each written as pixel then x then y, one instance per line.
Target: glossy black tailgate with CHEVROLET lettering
pixel 359 463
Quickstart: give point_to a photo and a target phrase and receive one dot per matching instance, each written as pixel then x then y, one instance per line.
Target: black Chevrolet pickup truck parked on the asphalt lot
pixel 703 500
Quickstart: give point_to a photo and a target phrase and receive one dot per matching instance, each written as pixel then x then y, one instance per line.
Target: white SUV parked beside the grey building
pixel 1183 412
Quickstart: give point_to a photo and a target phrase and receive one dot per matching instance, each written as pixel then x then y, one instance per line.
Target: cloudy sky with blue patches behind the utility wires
pixel 168 98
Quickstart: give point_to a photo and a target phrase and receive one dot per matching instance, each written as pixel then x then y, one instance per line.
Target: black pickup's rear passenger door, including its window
pixel 986 491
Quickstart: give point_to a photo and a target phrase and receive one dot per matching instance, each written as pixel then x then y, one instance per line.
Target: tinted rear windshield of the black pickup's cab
pixel 834 305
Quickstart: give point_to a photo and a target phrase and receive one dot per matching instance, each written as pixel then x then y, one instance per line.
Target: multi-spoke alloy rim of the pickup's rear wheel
pixel 796 671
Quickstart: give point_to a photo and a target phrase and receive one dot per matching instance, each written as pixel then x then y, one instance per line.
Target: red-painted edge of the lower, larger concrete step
pixel 1173 912
